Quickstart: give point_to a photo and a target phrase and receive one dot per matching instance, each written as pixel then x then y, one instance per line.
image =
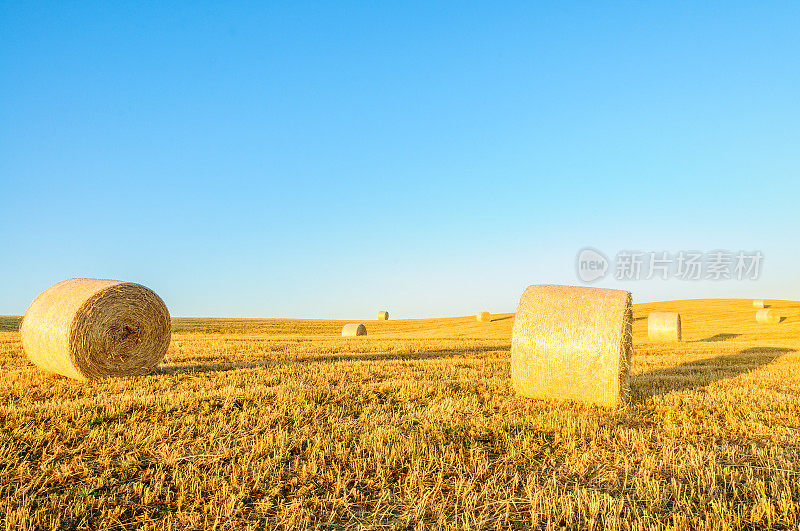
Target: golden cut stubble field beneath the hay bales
pixel 285 424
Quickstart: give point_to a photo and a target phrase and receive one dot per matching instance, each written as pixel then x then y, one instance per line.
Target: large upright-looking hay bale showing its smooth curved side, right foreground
pixel 572 343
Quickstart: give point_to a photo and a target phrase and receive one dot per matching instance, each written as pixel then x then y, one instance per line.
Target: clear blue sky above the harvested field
pixel 330 159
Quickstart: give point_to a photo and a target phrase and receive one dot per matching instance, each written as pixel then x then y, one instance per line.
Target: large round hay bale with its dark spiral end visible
pixel 86 328
